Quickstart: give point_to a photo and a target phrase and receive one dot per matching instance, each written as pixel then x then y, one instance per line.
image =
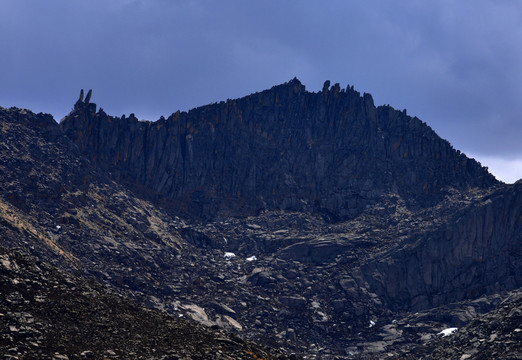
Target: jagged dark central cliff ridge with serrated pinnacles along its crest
pixel 331 152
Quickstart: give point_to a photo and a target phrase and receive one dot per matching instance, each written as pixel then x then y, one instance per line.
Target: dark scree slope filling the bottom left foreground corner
pixel 48 314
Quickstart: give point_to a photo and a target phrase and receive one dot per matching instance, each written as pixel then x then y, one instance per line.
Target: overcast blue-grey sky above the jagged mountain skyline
pixel 457 65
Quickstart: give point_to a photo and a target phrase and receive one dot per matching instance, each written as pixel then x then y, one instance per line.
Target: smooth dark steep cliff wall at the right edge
pixel 477 251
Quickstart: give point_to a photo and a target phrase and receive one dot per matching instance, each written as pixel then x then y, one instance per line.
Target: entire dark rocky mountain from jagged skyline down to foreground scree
pixel 285 224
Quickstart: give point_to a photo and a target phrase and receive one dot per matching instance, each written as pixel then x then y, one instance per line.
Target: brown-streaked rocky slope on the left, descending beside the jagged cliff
pixel 57 205
